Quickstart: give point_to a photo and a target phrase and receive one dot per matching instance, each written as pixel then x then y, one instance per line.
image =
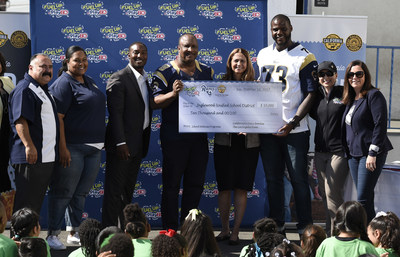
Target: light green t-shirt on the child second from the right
pixel 332 247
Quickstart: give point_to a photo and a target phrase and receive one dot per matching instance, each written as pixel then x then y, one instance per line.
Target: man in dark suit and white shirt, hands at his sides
pixel 128 133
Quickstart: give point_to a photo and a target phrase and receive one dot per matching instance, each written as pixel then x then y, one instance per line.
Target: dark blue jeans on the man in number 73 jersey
pixel 276 152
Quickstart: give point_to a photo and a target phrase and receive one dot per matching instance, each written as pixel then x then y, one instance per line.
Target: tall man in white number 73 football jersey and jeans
pixel 292 65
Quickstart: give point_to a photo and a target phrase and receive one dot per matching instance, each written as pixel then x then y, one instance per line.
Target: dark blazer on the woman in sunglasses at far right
pixel 369 125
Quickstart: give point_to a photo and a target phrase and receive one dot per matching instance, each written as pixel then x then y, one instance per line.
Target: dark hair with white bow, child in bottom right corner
pixel 389 225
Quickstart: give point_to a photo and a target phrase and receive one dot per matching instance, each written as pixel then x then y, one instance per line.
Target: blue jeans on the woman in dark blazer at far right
pixel 366 180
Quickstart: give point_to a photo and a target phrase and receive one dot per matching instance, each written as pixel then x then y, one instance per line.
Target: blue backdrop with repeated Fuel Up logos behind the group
pixel 105 29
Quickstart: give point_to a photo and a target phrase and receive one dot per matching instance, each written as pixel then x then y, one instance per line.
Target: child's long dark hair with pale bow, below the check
pixel 198 231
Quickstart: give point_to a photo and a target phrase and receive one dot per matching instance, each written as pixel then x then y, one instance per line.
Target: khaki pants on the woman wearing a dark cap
pixel 332 170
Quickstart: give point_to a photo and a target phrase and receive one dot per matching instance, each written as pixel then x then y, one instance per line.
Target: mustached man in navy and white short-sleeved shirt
pixel 34 143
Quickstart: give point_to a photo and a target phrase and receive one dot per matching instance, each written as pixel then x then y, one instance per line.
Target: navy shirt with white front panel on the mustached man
pixel 34 103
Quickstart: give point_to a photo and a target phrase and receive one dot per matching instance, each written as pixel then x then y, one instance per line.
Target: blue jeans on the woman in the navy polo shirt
pixel 69 187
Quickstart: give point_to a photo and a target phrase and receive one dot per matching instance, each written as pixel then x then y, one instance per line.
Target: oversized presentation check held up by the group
pixel 230 106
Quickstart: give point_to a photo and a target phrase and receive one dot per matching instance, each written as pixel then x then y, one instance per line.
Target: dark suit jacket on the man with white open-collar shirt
pixel 126 113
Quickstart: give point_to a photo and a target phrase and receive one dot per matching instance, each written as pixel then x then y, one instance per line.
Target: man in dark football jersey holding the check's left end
pixel 184 154
